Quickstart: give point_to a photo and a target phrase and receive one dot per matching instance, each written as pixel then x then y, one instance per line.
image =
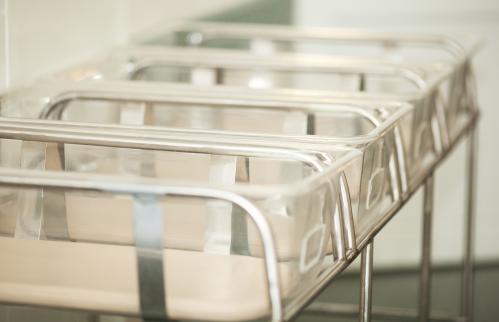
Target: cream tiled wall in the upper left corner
pixel 42 36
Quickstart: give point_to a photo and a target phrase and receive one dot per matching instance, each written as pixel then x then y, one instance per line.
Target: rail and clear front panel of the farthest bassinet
pixel 262 39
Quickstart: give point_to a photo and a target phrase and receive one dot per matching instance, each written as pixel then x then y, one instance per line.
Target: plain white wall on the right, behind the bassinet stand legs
pixel 399 243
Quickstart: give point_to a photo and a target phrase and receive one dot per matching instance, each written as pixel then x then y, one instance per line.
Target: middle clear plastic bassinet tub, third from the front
pixel 373 129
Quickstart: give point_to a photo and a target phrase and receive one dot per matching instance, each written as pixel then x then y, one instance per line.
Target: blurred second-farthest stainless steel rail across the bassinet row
pixel 146 57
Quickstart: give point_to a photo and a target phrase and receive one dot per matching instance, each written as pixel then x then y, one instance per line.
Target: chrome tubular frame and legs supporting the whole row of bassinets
pixel 147 214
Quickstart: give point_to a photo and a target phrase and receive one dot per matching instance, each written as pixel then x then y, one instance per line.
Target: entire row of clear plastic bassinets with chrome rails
pixel 225 178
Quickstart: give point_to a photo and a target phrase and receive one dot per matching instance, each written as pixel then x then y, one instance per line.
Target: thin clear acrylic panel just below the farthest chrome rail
pixel 382 50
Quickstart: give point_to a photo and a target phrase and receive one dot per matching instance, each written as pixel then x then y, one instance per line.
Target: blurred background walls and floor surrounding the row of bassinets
pixel 40 37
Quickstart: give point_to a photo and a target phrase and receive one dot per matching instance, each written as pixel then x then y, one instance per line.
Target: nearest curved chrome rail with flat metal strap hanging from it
pixel 146 193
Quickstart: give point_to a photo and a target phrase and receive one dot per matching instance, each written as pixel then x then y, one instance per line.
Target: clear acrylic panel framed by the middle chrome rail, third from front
pixel 339 122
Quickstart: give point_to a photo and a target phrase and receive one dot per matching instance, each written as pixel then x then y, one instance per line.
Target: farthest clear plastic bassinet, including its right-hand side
pixel 456 51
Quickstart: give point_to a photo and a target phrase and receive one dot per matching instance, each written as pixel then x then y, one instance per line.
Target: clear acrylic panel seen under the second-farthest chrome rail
pixel 255 78
